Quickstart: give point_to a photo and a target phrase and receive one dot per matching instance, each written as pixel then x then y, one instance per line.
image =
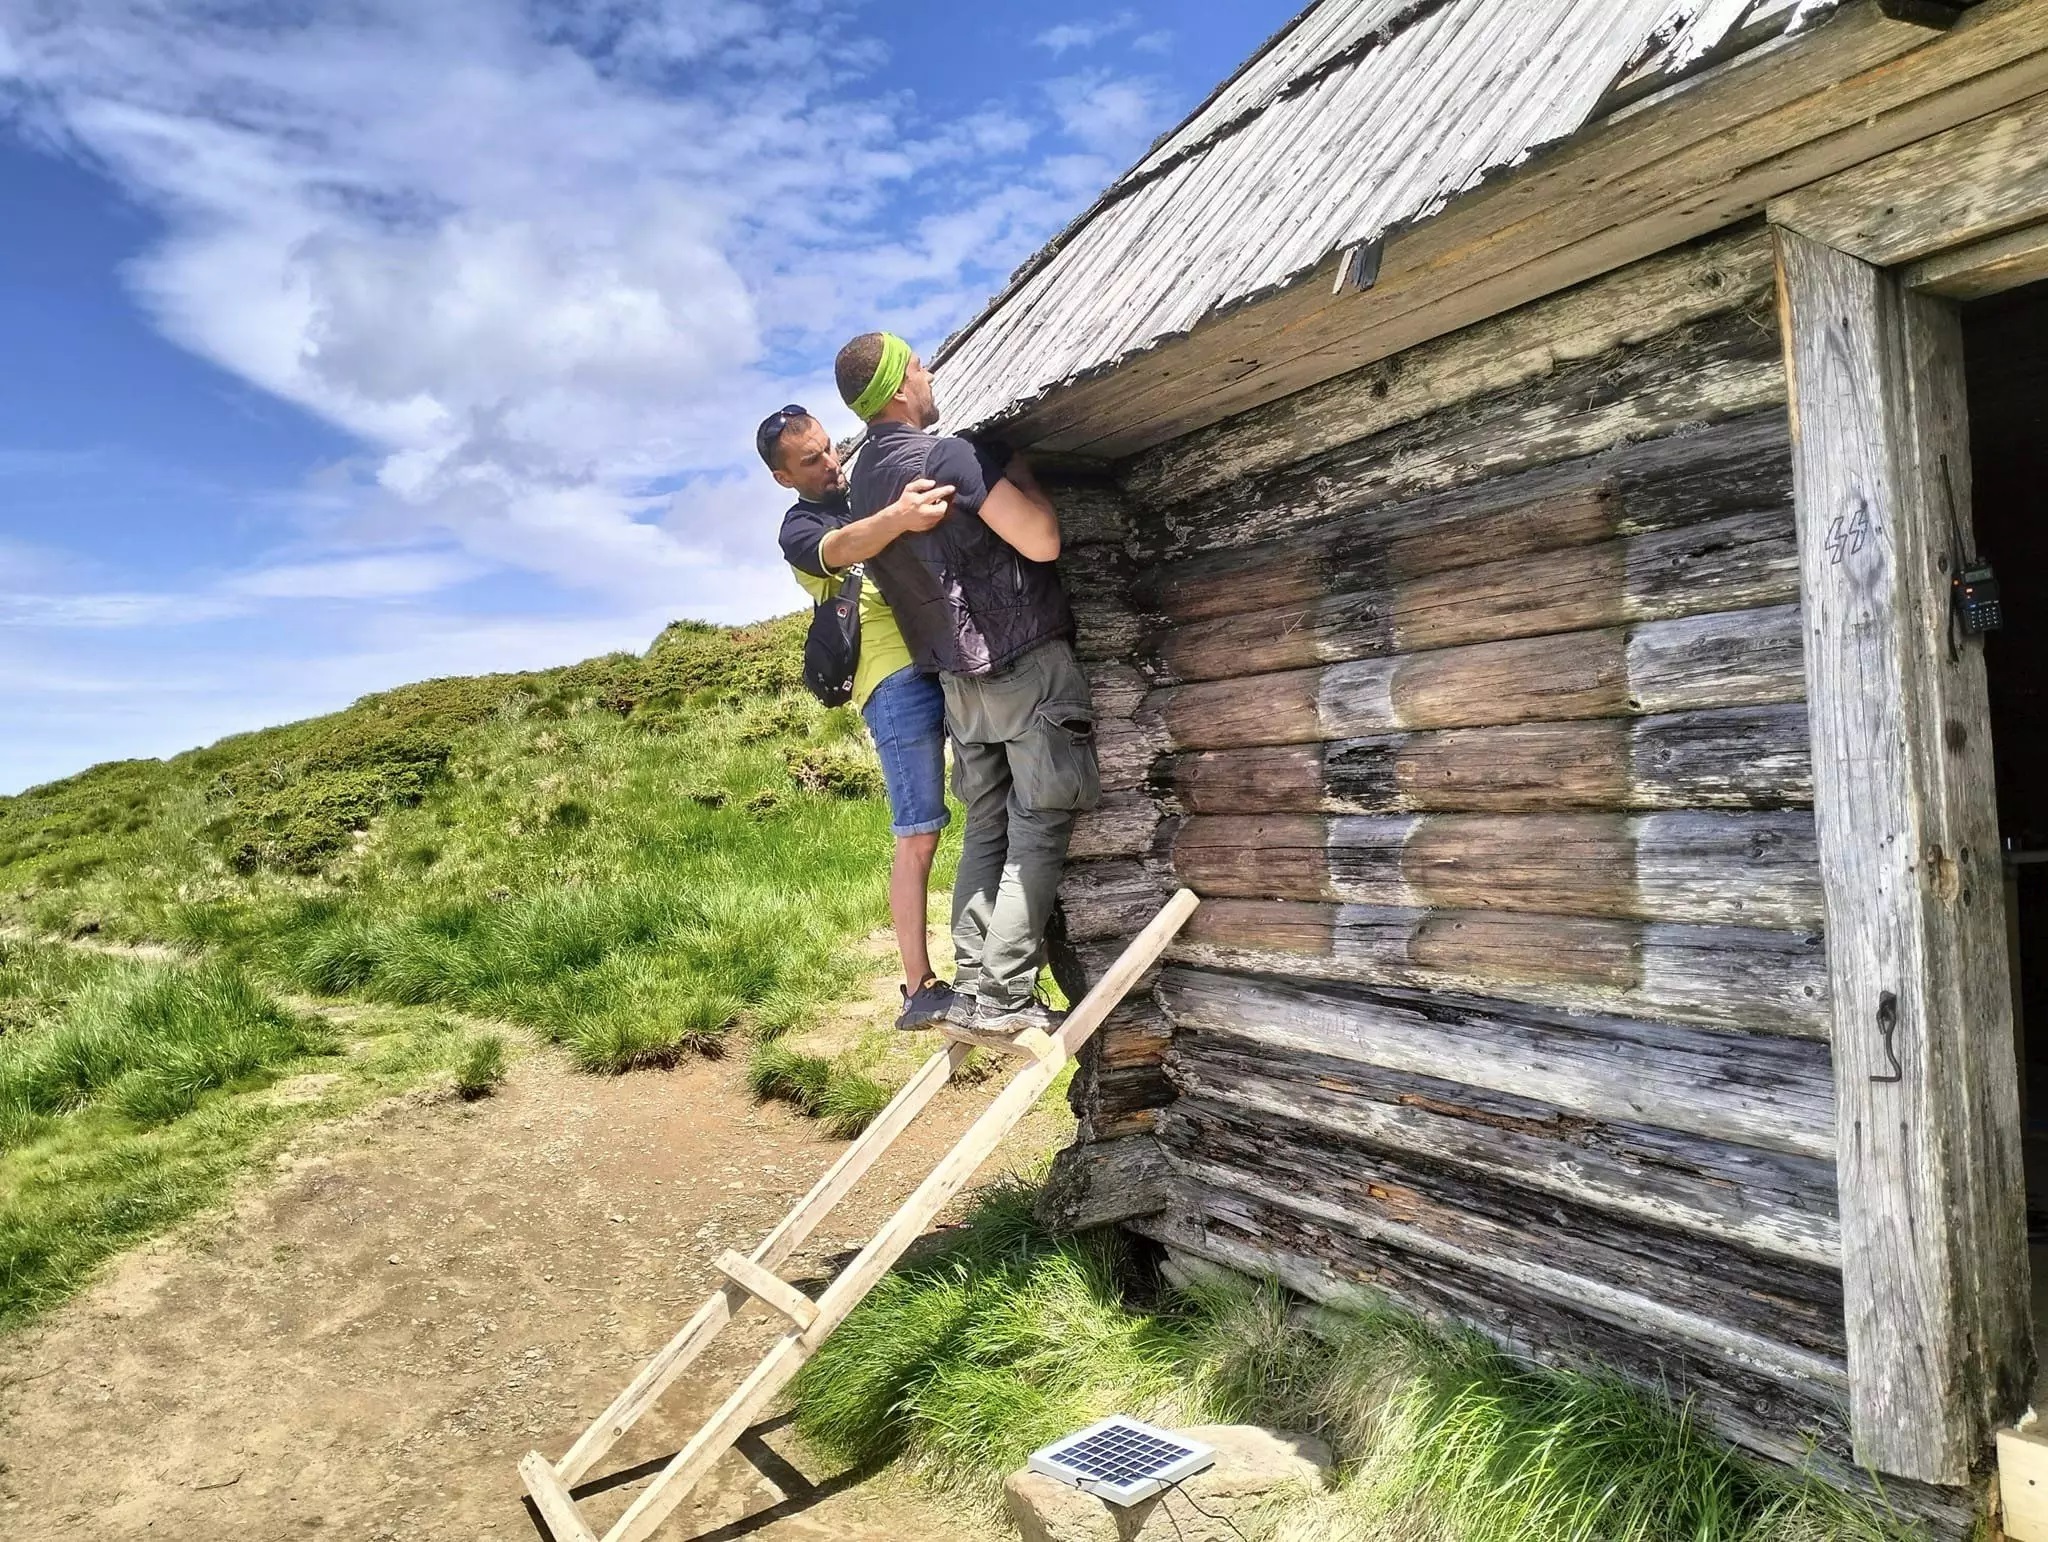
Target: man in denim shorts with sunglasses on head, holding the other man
pixel 904 710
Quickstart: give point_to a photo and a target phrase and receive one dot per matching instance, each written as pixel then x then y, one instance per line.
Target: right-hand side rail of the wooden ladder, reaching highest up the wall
pixel 673 1486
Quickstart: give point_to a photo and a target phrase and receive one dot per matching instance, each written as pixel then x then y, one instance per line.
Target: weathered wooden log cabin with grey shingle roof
pixel 1517 458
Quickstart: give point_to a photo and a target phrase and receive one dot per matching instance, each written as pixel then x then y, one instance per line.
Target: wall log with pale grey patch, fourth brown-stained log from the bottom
pixel 1740 658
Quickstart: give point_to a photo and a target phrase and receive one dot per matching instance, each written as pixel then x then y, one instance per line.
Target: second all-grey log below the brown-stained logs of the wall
pixel 1770 1201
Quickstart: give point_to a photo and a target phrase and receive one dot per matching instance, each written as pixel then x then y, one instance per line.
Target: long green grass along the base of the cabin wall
pixel 1005 1338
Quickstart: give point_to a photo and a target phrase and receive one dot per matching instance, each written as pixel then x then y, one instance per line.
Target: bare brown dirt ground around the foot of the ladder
pixel 376 1332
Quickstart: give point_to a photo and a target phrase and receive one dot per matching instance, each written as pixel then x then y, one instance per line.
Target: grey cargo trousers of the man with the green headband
pixel 1025 767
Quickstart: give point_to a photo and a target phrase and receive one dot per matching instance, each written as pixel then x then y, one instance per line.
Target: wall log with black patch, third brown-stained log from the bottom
pixel 1730 759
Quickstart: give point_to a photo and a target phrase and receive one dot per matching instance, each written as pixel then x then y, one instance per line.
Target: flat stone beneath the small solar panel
pixel 1252 1467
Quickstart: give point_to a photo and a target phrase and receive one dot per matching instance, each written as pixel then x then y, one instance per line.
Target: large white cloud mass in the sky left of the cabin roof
pixel 525 263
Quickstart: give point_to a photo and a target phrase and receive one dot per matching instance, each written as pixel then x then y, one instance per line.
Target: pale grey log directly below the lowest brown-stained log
pixel 1754 1090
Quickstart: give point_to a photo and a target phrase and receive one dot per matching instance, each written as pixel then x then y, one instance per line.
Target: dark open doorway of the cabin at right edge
pixel 2006 347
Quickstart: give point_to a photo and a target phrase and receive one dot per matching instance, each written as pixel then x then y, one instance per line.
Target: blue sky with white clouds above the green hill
pixel 357 345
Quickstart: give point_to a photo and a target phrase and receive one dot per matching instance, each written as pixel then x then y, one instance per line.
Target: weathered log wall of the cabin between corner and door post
pixel 1482 732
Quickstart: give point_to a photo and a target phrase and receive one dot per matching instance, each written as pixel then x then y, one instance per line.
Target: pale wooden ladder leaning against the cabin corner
pixel 812 1322
